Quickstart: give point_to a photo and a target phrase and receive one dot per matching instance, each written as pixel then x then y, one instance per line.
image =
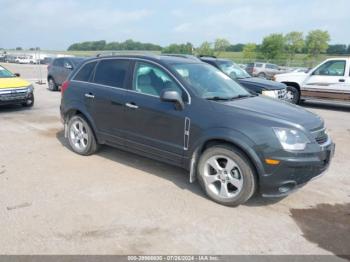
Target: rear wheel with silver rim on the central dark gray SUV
pixel 81 137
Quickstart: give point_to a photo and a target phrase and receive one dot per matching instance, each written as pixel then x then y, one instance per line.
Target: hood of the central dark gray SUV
pixel 275 110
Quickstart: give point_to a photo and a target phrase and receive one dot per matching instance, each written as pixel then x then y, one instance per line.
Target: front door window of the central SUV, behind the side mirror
pixel 151 80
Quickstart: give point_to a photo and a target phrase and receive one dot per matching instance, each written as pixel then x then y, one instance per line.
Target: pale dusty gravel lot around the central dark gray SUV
pixel 54 201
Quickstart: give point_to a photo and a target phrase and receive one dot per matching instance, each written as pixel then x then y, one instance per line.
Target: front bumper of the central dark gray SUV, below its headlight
pixel 294 172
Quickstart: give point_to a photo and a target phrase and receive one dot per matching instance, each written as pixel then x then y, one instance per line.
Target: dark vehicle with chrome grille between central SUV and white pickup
pixel 254 84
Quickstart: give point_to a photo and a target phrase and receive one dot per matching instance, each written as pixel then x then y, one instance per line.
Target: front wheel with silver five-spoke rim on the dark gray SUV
pixel 231 182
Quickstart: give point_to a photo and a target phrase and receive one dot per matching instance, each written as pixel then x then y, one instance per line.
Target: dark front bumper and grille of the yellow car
pixel 15 95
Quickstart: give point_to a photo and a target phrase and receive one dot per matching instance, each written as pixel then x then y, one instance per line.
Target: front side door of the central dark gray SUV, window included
pixel 153 126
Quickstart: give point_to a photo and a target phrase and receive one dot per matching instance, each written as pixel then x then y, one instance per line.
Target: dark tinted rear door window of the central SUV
pixel 111 72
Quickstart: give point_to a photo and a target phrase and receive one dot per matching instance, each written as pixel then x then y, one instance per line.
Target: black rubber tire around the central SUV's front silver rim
pixel 247 174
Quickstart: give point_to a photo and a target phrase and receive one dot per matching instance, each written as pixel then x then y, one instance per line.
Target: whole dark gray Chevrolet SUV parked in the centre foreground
pixel 190 114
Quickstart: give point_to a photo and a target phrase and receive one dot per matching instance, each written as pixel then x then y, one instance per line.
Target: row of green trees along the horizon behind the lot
pixel 273 46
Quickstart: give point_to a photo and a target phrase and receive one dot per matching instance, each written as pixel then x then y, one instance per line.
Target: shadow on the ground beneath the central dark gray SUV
pixel 176 175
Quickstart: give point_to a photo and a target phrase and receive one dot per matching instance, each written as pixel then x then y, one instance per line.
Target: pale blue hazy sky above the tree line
pixel 57 24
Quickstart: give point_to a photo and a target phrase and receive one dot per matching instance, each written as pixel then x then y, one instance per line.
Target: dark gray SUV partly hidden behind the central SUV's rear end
pixel 59 69
